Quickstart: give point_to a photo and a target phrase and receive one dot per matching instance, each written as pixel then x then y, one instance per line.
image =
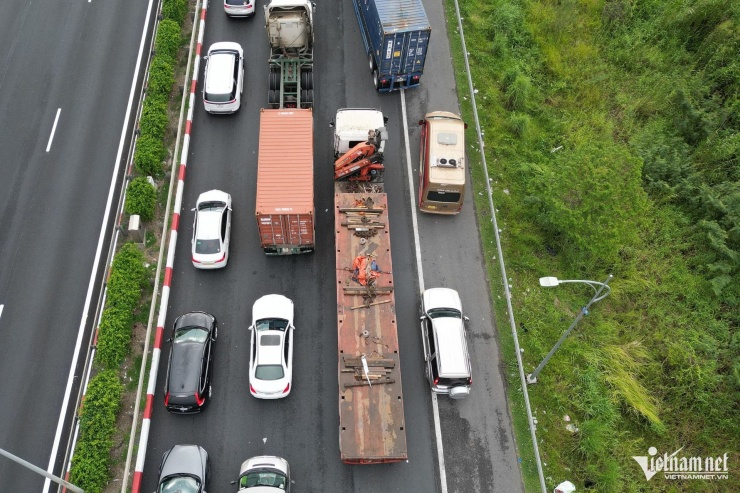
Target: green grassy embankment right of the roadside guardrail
pixel 611 133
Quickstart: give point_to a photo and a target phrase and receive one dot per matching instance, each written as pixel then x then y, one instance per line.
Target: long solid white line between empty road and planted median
pixel 101 238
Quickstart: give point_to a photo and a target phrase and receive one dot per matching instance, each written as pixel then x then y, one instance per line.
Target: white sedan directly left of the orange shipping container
pixel 211 230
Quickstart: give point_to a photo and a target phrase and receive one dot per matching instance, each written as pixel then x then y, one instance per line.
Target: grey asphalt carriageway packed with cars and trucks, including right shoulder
pixel 479 449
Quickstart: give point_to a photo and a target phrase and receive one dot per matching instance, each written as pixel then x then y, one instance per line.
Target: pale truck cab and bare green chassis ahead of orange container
pixel 289 26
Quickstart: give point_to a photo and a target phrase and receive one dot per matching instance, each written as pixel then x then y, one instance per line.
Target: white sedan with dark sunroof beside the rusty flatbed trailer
pixel 271 352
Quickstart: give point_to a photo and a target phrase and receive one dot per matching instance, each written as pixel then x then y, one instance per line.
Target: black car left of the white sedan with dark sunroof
pixel 188 384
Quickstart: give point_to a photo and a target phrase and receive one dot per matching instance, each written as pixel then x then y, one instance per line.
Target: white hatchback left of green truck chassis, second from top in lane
pixel 224 78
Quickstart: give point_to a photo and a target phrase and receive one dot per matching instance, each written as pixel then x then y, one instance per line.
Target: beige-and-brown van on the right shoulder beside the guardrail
pixel 442 163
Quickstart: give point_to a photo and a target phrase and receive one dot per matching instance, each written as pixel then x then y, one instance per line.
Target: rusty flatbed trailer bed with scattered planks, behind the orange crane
pixel 371 420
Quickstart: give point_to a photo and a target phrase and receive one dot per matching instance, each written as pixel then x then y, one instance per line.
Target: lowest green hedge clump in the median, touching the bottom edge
pixel 97 425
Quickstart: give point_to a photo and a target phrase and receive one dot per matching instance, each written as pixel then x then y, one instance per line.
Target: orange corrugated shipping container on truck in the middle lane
pixel 285 210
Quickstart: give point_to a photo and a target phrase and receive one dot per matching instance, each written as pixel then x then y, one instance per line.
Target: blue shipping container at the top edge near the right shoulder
pixel 396 36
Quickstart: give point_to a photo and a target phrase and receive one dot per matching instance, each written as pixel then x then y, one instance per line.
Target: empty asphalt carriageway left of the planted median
pixel 66 70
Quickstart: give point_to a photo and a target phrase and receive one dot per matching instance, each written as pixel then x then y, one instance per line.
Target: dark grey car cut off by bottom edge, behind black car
pixel 184 469
